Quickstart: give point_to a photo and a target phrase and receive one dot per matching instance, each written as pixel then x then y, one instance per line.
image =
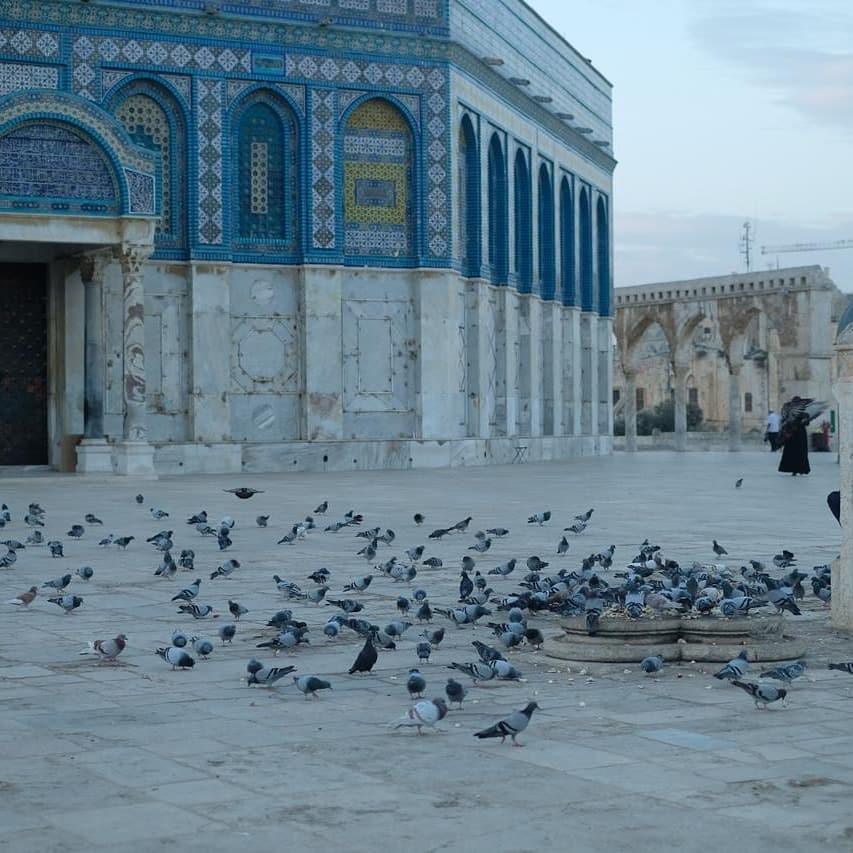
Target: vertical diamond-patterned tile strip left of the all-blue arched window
pixel 208 116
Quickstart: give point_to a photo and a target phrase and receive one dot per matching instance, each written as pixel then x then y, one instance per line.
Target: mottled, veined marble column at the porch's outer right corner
pixel 134 455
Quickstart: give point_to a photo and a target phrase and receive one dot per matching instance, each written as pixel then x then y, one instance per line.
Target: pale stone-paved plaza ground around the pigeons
pixel 137 757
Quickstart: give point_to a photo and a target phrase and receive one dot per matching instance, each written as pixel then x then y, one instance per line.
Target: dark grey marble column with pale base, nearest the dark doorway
pixel 94 455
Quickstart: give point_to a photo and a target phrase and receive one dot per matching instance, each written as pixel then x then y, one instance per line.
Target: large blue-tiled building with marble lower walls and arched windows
pixel 278 235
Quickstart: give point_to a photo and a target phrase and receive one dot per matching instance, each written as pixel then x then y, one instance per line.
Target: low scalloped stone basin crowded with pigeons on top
pixel 701 639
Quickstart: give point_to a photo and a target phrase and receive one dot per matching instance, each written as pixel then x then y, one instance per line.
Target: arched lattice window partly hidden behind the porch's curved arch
pixel 154 120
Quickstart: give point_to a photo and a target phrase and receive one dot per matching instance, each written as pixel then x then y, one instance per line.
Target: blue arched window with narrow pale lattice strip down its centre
pixel 267 180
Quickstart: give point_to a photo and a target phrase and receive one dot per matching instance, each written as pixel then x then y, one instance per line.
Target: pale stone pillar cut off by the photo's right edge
pixel 842 568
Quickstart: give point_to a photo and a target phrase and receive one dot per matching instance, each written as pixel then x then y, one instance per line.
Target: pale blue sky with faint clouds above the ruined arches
pixel 723 111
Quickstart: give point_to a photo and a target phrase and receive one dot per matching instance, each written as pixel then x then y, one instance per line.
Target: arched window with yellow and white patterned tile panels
pixel 379 213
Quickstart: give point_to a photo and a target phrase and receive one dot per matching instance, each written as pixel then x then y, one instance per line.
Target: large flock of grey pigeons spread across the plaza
pixel 505 606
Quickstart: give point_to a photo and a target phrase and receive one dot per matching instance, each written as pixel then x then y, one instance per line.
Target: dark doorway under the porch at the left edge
pixel 23 364
